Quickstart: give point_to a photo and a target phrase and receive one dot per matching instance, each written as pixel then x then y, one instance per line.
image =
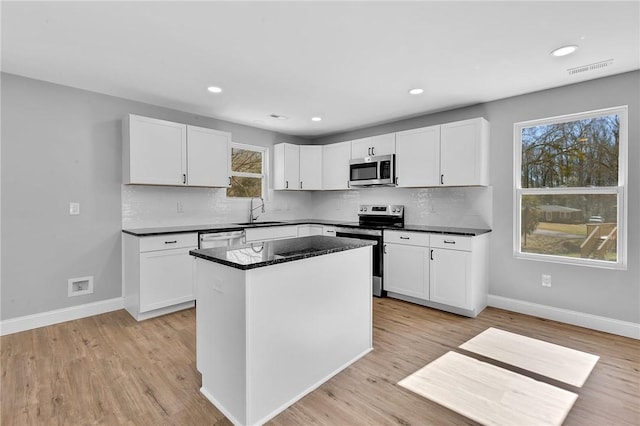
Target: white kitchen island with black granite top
pixel 277 319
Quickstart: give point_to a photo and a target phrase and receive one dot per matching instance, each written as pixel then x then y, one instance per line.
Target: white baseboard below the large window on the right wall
pixel 594 322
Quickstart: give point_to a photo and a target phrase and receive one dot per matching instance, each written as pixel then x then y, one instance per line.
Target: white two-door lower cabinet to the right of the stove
pixel 446 272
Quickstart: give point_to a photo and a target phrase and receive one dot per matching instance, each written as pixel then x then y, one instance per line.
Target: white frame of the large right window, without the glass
pixel 620 190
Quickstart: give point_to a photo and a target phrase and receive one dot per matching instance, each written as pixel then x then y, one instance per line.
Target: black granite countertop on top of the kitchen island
pixel 257 255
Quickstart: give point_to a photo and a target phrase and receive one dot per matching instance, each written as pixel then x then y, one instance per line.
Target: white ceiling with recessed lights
pixel 351 63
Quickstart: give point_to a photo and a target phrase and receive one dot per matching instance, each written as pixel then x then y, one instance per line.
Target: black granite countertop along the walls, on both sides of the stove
pixel 223 227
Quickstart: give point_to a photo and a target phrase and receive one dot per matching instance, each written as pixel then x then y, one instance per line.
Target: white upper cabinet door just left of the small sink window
pixel 208 156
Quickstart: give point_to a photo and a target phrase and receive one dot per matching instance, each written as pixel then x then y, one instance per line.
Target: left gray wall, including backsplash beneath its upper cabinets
pixel 61 144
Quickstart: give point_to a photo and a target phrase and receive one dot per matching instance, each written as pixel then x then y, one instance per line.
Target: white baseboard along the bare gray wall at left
pixel 29 322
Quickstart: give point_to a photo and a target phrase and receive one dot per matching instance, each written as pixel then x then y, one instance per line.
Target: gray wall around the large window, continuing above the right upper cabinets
pixel 602 292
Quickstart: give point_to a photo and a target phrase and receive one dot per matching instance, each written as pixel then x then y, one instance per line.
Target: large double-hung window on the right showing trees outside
pixel 570 187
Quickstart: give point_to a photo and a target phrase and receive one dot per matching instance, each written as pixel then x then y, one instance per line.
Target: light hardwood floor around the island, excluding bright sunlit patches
pixel 110 370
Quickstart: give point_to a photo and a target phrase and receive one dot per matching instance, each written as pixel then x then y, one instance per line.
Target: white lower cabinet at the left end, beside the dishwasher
pixel 158 275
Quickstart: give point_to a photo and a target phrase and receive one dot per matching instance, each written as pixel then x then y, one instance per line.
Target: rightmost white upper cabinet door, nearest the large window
pixel 464 153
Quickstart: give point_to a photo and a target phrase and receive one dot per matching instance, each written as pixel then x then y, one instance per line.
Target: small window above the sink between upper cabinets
pixel 247 171
